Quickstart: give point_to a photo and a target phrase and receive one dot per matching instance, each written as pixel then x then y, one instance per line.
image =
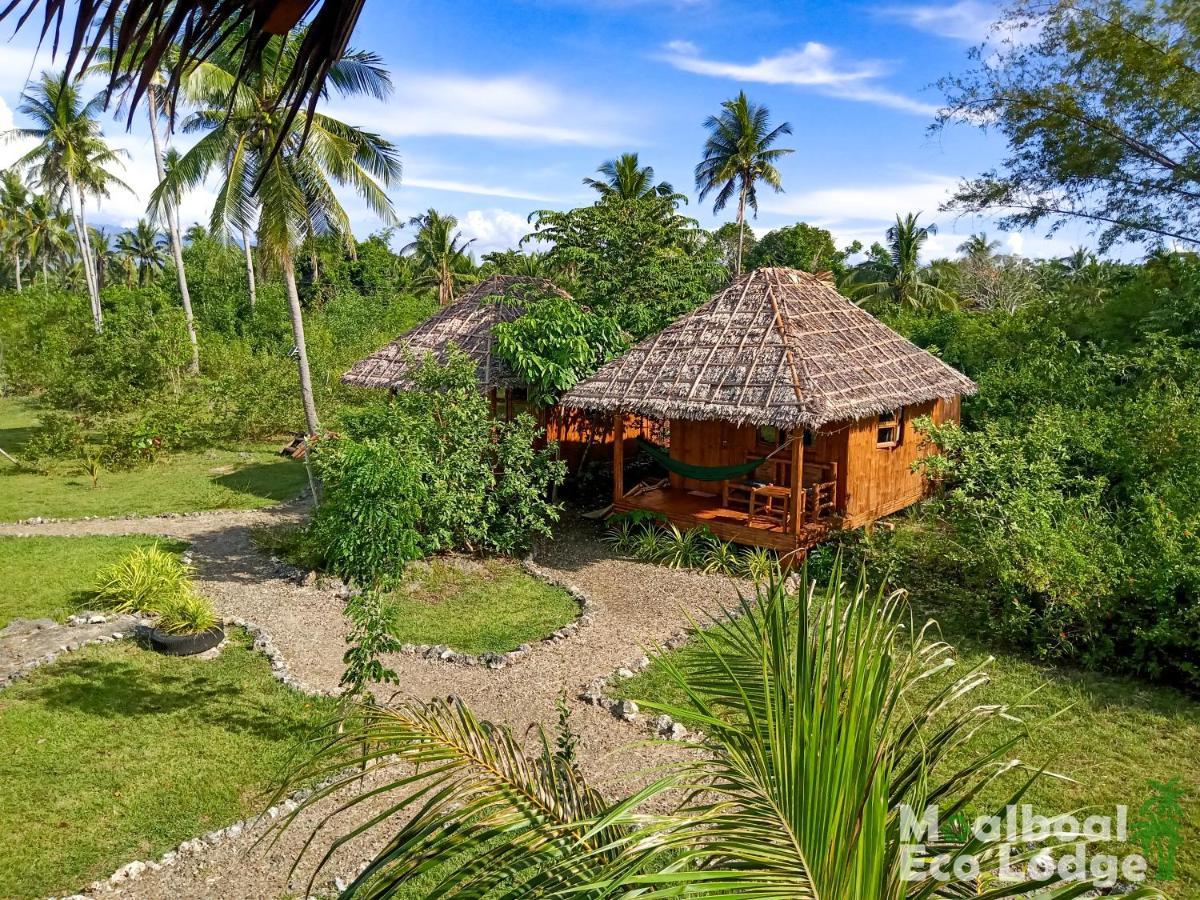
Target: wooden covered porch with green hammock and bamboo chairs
pixel 759 487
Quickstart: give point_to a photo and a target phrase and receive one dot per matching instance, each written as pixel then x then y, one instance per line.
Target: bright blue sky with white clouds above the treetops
pixel 503 109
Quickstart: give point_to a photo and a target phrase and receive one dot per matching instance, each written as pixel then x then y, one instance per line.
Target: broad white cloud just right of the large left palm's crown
pixel 517 109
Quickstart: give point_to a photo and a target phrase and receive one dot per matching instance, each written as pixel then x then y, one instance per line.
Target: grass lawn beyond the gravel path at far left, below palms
pixel 215 479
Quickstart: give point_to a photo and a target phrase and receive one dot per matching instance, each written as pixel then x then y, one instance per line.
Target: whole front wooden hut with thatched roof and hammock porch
pixel 790 411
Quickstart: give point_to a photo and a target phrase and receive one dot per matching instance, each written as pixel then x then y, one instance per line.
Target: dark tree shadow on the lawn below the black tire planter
pixel 119 689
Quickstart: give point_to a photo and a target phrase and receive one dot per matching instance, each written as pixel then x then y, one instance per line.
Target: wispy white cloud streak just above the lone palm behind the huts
pixel 814 65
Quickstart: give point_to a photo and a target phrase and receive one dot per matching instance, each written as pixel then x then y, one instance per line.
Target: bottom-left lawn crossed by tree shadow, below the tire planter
pixel 117 754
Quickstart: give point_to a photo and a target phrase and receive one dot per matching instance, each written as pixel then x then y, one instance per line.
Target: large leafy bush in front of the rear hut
pixel 430 472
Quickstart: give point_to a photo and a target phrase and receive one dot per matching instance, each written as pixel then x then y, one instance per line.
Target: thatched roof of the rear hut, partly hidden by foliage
pixel 467 323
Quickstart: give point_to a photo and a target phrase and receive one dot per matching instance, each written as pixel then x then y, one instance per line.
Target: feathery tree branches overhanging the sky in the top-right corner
pixel 1100 101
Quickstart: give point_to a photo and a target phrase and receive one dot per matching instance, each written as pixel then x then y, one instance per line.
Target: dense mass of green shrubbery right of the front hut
pixel 1072 495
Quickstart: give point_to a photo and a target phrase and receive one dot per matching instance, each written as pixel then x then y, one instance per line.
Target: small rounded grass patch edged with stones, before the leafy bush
pixel 476 608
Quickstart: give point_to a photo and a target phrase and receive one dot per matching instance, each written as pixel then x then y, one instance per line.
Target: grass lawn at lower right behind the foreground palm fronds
pixel 1115 735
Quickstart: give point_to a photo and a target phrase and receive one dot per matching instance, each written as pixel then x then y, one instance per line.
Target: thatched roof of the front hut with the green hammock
pixel 778 347
